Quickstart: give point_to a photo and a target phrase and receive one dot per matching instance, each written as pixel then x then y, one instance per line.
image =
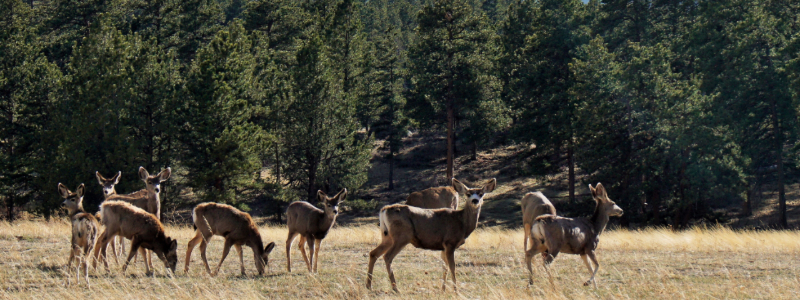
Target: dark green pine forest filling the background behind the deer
pixel 679 107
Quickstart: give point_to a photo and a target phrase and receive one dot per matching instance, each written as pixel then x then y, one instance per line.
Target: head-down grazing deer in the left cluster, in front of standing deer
pixel 142 228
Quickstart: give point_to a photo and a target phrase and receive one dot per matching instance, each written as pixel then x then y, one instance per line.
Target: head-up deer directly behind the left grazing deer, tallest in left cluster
pixel 147 199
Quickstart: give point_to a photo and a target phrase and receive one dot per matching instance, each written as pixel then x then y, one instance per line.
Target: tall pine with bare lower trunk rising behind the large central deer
pixel 448 67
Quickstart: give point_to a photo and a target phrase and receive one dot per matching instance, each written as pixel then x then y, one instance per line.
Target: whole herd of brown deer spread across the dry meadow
pixel 429 219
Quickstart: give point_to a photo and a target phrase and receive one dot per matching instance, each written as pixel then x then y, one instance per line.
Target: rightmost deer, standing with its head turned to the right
pixel 552 234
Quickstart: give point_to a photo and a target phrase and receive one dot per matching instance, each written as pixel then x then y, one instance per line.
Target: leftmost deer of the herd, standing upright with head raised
pixel 84 228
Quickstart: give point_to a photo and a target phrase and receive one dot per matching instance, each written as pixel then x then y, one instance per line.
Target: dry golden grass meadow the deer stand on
pixel 702 263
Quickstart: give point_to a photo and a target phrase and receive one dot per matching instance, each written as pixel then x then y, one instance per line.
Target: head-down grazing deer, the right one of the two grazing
pixel 236 226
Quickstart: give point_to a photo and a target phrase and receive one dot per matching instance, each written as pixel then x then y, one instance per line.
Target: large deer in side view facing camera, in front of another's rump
pixel 442 229
